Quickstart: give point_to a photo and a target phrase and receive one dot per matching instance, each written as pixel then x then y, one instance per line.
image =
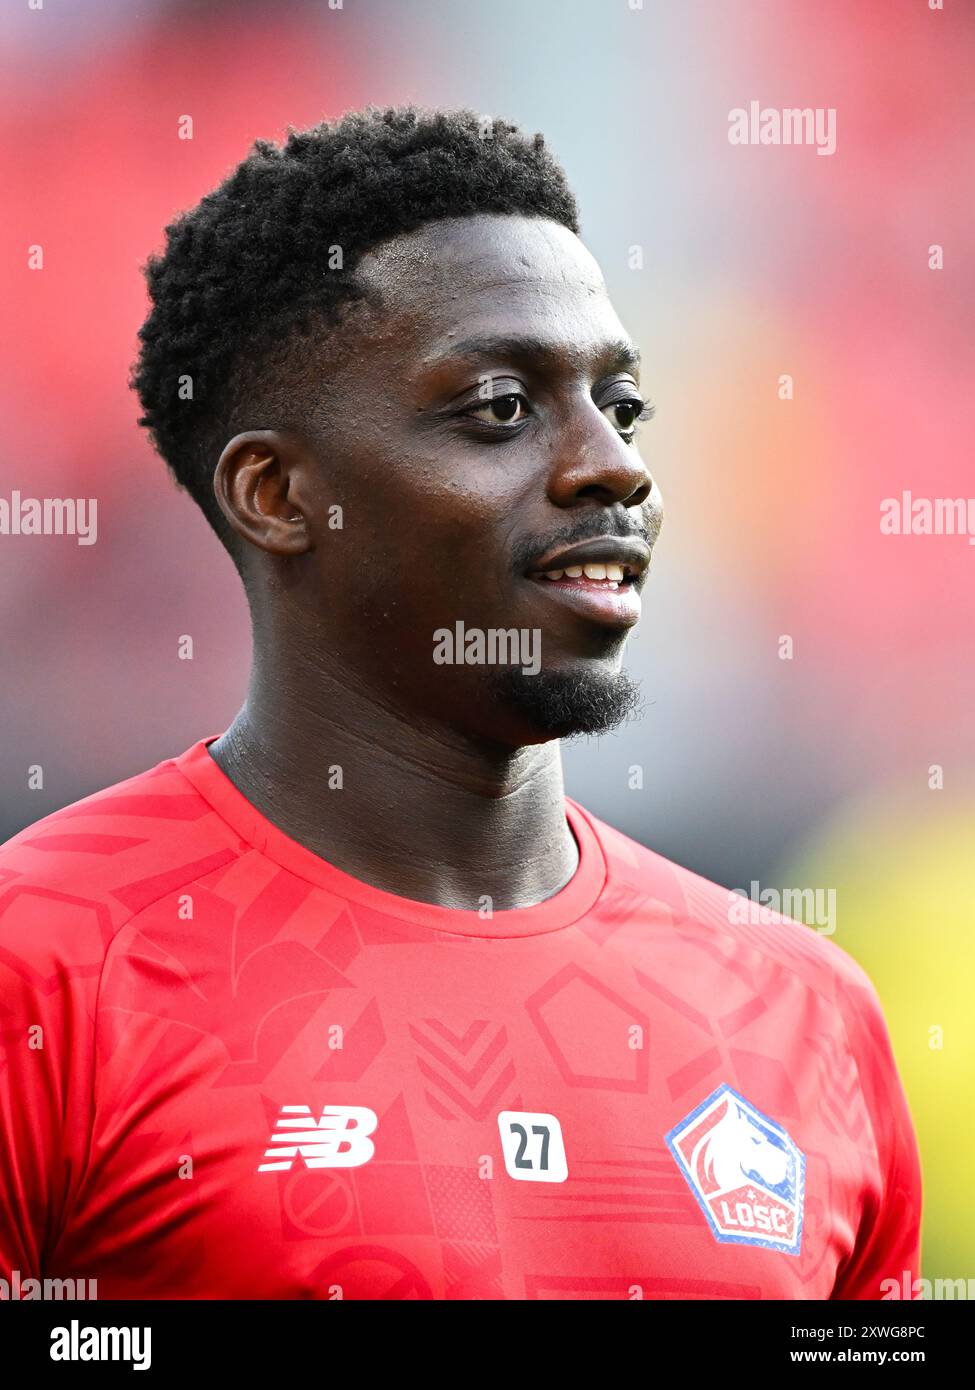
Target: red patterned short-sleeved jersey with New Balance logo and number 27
pixel 232 1071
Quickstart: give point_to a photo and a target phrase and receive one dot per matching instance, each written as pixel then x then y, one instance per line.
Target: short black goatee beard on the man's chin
pixel 568 704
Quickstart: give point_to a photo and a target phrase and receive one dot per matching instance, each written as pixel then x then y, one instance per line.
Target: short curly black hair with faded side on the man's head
pixel 254 266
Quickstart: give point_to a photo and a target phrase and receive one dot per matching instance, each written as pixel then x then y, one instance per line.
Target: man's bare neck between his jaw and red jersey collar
pixel 414 811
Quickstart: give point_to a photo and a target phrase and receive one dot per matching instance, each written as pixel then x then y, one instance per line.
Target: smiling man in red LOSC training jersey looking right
pixel 353 1001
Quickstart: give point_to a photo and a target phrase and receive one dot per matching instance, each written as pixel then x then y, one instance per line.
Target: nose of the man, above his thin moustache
pixel 592 461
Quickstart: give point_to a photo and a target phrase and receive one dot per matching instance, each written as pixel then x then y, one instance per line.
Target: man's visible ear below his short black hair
pixel 255 484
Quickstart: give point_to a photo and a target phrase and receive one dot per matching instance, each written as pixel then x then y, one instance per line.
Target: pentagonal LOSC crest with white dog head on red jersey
pixel 745 1171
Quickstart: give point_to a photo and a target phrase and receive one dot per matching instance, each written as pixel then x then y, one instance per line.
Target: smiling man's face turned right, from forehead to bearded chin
pixel 475 433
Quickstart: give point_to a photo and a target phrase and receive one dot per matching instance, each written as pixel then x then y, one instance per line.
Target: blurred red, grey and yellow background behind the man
pixel 757 262
